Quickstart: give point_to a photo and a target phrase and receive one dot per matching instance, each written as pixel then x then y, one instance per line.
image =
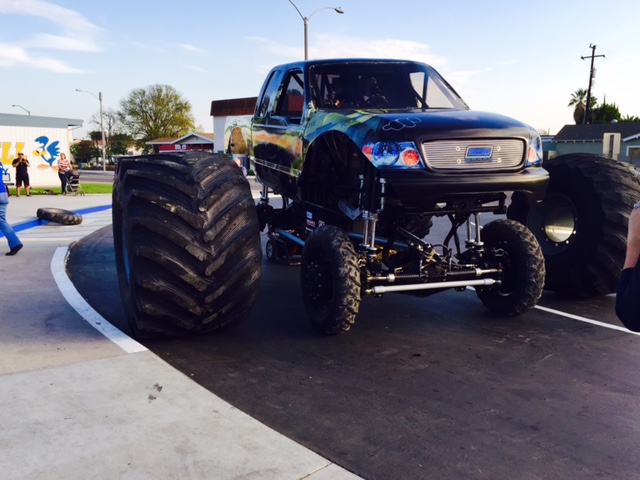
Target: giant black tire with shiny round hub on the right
pixel 582 223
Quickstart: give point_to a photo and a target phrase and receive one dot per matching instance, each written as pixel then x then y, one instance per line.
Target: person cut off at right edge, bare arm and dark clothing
pixel 628 295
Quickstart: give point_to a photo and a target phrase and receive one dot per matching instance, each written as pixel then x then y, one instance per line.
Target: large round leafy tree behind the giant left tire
pixel 156 112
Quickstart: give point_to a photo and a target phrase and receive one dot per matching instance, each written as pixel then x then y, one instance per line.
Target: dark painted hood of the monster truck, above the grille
pixel 364 126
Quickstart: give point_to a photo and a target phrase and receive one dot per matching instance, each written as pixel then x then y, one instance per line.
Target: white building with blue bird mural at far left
pixel 41 139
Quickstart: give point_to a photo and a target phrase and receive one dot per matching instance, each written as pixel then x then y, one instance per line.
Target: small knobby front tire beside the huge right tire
pixel 510 246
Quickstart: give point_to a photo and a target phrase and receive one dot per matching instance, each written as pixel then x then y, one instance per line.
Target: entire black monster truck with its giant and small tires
pixel 363 154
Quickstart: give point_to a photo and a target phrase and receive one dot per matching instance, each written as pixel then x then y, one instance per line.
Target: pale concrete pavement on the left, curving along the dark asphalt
pixel 75 404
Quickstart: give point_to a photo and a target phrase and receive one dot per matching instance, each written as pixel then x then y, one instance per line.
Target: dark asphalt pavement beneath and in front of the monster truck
pixel 420 388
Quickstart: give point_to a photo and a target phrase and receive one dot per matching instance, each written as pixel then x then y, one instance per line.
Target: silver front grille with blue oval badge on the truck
pixel 492 154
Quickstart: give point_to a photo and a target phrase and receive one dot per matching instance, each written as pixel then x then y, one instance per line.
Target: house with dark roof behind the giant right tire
pixel 616 140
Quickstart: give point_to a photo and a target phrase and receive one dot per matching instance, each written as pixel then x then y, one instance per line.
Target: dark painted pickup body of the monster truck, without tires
pixel 319 125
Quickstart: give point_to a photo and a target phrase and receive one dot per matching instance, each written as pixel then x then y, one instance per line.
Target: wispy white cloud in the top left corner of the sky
pixel 69 31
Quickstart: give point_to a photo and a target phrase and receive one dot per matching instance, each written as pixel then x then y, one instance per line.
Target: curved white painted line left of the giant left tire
pixel 80 305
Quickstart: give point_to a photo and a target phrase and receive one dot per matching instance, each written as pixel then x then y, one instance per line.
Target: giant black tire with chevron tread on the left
pixel 187 243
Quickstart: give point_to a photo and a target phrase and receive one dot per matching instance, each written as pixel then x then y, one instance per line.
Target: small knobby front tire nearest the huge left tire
pixel 330 280
